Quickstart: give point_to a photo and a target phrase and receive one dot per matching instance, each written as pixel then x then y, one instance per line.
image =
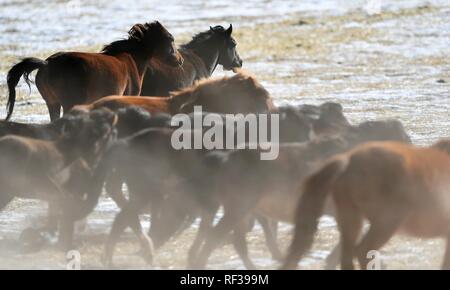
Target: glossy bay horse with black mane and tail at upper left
pixel 70 78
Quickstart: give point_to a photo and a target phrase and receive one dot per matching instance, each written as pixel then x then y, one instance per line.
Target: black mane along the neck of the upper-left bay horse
pixel 136 36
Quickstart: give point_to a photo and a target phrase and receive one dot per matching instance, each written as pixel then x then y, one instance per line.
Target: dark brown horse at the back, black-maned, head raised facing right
pixel 201 56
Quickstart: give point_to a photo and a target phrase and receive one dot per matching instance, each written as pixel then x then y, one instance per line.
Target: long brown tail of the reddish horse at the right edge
pixel 316 189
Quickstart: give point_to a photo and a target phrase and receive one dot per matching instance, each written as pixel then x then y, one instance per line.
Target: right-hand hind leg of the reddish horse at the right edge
pixel 380 232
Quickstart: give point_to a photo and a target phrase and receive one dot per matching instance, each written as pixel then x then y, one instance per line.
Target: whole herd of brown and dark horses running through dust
pixel 116 129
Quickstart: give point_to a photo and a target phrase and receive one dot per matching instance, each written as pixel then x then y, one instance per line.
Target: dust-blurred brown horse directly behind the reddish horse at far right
pixel 270 187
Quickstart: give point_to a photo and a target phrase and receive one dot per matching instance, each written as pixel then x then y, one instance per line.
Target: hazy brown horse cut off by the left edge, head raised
pixel 56 171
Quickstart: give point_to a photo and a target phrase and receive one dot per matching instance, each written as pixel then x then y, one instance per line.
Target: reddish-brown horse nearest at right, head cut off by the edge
pixel 396 187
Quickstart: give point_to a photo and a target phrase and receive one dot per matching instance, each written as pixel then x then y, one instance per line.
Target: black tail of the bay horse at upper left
pixel 23 68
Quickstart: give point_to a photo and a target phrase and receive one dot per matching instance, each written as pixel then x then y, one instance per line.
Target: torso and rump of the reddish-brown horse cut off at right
pixel 402 180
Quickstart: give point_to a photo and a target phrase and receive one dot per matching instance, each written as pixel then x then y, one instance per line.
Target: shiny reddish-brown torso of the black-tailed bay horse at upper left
pixel 80 78
